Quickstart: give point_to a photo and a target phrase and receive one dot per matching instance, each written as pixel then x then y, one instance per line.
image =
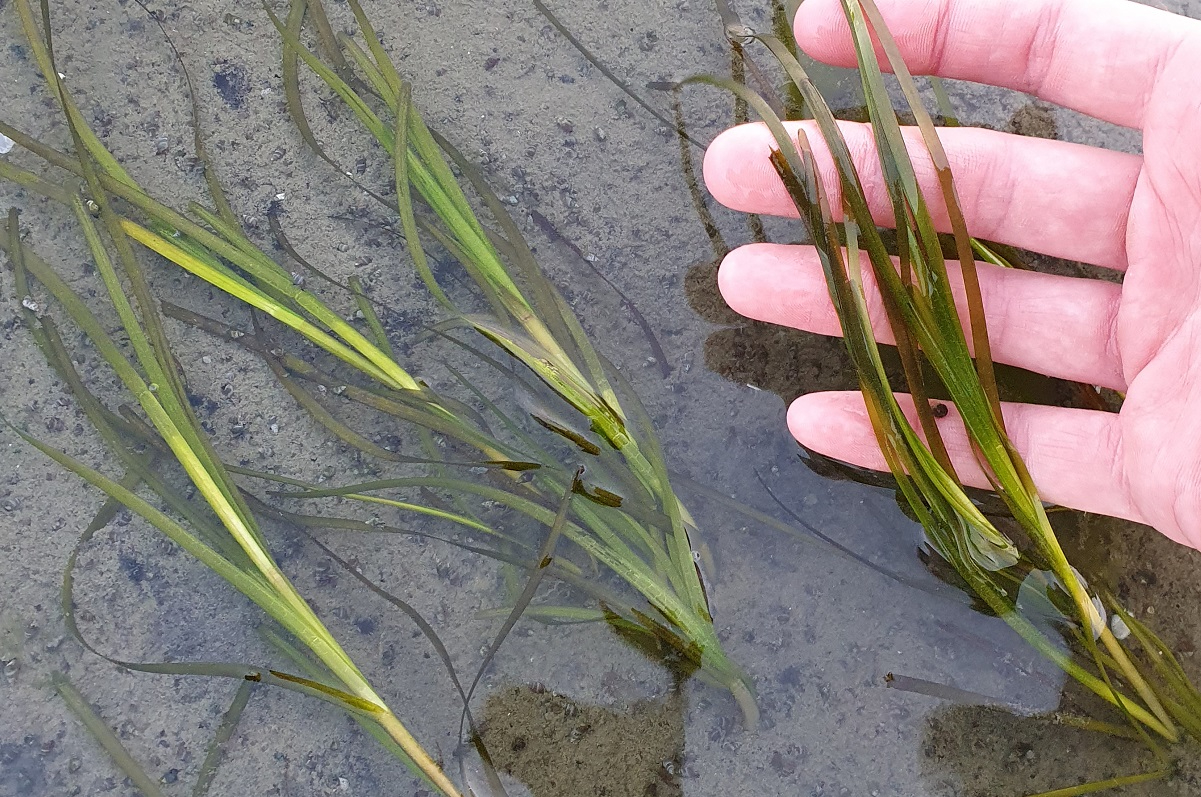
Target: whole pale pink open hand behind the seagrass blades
pixel 1110 59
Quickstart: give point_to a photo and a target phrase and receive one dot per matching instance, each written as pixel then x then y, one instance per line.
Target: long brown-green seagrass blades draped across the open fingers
pixel 919 304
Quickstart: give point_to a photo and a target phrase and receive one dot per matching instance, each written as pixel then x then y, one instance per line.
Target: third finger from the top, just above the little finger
pixel 1056 326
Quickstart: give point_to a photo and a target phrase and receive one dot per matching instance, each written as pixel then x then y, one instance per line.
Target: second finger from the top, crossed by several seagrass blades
pixel 1053 197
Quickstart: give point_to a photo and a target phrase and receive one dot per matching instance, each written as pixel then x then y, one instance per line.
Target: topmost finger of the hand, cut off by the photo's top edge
pixel 1103 58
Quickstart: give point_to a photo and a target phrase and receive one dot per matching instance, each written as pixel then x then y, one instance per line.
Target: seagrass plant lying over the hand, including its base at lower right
pixel 1031 588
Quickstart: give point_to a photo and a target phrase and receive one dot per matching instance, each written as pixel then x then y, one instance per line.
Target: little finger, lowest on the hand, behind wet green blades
pixel 1073 456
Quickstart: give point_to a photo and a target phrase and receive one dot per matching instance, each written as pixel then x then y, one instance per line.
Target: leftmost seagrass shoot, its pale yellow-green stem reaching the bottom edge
pixel 235 548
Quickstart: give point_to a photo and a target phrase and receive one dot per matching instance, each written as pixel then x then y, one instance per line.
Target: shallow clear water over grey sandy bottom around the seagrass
pixel 569 710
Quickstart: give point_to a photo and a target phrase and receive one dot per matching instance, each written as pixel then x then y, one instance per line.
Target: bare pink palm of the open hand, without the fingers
pixel 1158 328
